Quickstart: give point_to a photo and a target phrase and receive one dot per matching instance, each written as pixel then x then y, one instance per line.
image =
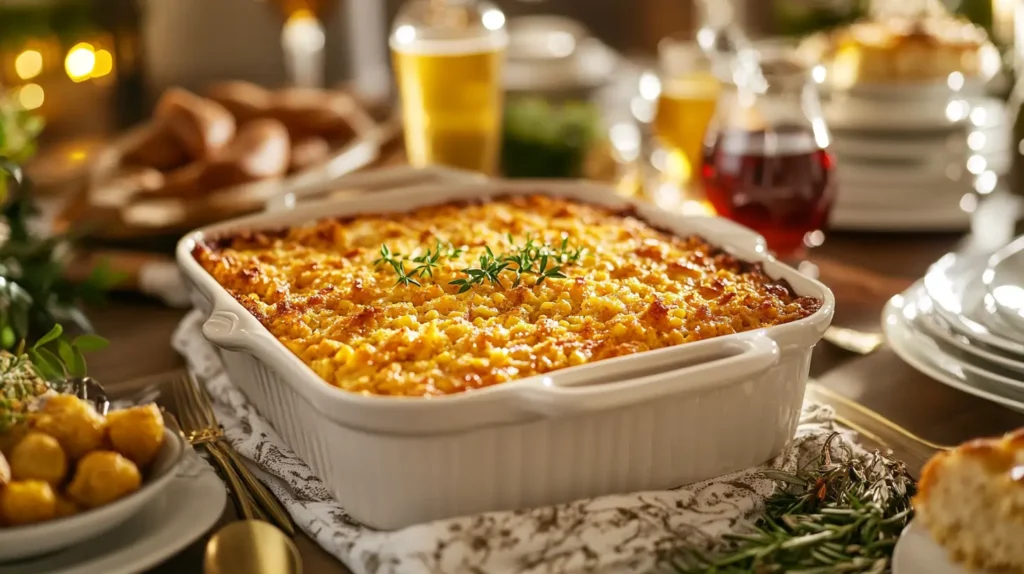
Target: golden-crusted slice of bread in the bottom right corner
pixel 972 502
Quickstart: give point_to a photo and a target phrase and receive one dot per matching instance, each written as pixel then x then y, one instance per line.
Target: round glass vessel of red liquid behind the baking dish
pixel 766 163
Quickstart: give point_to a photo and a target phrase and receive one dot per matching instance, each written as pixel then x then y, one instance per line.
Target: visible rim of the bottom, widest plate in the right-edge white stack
pixel 923 355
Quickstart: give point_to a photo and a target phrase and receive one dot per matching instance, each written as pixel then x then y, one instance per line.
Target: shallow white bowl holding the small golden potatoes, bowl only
pixel 23 542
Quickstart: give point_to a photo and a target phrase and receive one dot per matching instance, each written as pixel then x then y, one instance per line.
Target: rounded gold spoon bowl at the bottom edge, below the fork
pixel 251 547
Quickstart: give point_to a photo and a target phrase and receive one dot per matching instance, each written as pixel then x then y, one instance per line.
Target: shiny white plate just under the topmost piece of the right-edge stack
pixel 956 286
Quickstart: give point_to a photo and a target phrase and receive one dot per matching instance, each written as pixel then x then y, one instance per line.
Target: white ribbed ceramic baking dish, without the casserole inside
pixel 651 421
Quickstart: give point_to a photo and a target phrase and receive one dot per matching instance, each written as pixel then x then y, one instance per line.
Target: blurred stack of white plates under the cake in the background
pixel 909 166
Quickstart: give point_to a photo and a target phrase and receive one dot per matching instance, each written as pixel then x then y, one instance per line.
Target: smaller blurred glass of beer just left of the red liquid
pixel 690 91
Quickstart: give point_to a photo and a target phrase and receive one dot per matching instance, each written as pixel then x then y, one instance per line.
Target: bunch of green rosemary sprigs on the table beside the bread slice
pixel 841 517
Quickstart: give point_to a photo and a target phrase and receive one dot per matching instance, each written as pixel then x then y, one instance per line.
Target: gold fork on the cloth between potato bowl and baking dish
pixel 202 430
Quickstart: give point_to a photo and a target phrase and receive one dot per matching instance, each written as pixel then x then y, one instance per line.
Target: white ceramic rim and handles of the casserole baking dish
pixel 586 388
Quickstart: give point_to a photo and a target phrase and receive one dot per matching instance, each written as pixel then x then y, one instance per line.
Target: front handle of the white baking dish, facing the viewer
pixel 694 367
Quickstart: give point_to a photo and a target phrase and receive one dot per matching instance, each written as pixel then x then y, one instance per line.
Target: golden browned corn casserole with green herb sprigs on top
pixel 457 297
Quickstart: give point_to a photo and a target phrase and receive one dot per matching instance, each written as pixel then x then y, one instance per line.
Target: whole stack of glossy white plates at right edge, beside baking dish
pixel 964 325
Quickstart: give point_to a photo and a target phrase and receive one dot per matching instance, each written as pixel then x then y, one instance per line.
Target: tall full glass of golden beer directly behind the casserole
pixel 448 61
